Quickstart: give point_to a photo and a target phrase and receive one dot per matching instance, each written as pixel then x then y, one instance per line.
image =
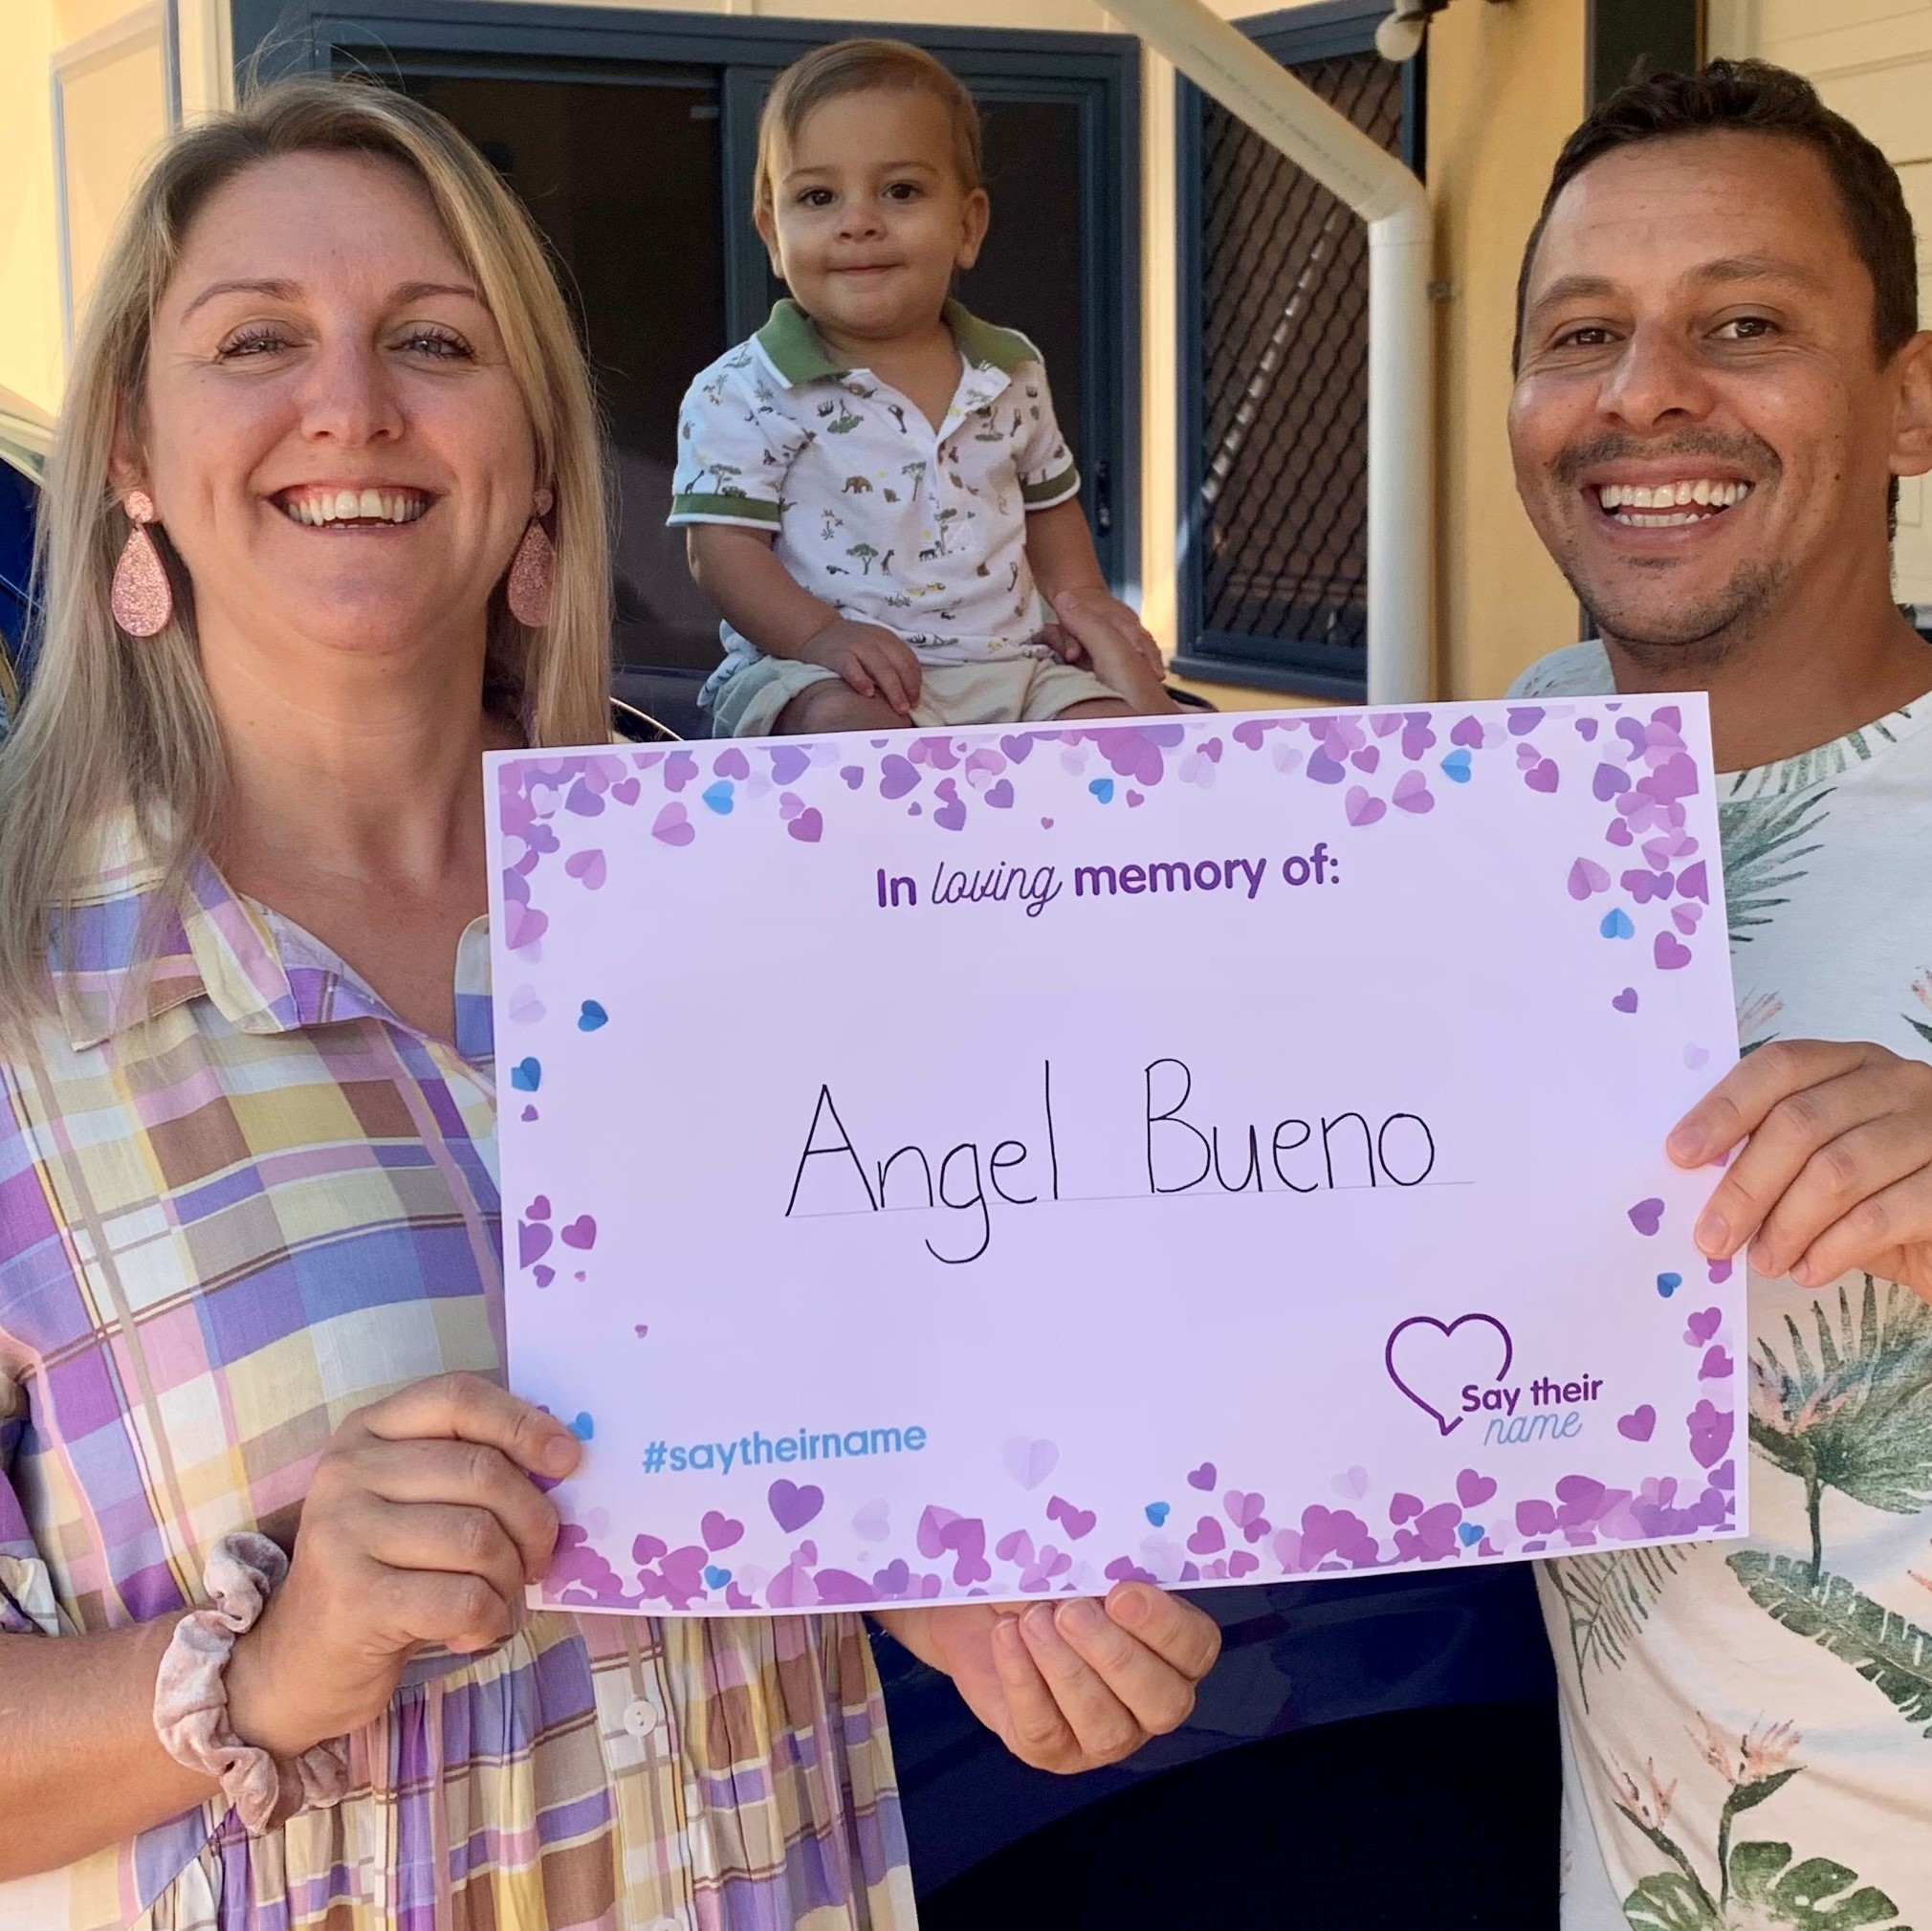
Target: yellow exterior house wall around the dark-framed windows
pixel 1506 86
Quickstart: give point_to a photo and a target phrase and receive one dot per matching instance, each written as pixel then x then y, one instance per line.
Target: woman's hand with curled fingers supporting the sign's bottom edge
pixel 1073 1685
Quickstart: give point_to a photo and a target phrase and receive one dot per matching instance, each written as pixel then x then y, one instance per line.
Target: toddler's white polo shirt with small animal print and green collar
pixel 870 509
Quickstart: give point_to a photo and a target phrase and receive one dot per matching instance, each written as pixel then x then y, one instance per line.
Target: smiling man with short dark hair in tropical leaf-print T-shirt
pixel 1720 381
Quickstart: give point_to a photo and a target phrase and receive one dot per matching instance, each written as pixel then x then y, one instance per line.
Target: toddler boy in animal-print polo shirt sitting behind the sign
pixel 876 488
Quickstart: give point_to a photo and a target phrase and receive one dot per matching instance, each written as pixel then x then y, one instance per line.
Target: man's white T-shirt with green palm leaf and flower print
pixel 1749 1725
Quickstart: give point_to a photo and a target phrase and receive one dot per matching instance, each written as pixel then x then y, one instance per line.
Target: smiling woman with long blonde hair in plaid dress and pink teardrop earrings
pixel 326 524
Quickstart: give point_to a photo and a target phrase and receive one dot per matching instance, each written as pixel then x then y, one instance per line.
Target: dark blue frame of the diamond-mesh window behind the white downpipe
pixel 1290 36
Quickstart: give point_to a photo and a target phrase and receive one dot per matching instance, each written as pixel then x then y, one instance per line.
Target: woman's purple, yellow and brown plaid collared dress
pixel 239 1198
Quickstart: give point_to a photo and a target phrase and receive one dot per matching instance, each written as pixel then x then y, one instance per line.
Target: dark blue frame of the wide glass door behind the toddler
pixel 584 43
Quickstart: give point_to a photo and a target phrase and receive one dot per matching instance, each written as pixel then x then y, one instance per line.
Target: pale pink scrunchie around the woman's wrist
pixel 192 1694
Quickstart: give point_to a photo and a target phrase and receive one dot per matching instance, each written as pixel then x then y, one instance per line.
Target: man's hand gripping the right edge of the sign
pixel 1838 1167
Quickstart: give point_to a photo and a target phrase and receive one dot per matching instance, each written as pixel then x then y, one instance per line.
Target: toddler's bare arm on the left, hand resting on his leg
pixel 766 605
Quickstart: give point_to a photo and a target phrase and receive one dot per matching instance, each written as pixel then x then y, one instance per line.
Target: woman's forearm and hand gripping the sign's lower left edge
pixel 422 1526
